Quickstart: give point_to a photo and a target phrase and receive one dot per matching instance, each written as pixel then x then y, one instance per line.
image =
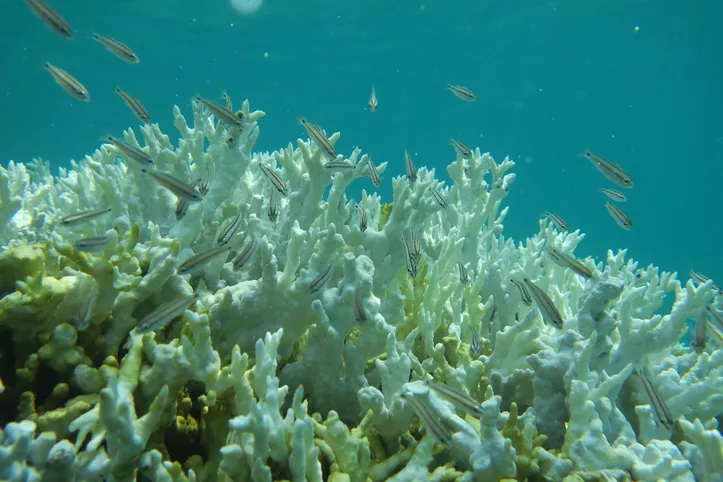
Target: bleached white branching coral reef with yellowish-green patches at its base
pixel 304 350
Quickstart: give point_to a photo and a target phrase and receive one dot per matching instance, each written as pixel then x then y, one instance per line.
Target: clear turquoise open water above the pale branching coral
pixel 551 79
